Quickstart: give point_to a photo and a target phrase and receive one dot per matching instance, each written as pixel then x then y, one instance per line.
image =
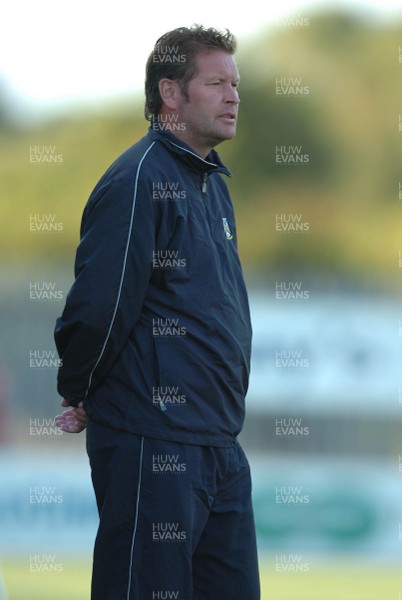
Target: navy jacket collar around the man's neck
pixel 212 163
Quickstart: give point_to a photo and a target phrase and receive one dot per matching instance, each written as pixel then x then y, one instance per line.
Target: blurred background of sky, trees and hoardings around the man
pixel 317 189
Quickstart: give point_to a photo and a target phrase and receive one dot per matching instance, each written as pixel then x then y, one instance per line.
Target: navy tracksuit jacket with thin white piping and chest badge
pixel 158 316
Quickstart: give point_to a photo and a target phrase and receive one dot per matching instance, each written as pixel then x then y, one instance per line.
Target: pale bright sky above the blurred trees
pixel 55 54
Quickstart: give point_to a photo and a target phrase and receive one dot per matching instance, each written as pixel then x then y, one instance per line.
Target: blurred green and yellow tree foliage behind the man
pixel 328 91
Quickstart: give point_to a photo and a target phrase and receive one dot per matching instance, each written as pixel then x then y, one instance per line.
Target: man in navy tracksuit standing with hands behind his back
pixel 155 344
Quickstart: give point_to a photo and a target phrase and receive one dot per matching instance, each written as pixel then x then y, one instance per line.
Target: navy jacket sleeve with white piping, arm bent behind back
pixel 112 270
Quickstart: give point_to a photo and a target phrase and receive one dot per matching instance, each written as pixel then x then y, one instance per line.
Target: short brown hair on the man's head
pixel 174 57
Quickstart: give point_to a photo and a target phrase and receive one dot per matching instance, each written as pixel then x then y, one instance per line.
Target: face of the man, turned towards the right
pixel 209 112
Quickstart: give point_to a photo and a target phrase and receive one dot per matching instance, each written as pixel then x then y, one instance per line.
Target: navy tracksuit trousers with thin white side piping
pixel 176 520
